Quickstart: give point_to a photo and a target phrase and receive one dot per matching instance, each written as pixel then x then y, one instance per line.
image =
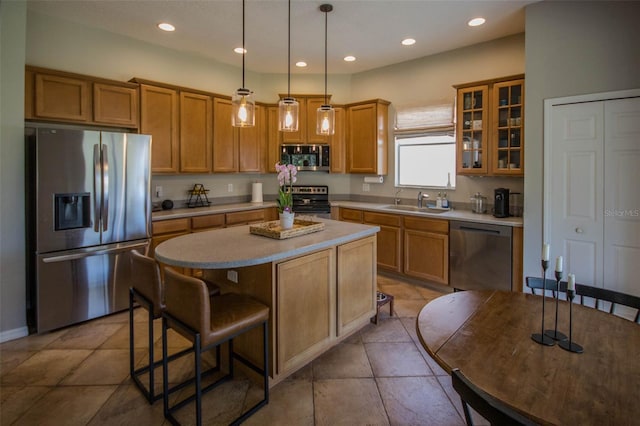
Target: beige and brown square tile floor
pixel 380 376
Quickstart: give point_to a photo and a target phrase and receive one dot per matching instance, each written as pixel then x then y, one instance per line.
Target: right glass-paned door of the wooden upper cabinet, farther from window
pixel 508 98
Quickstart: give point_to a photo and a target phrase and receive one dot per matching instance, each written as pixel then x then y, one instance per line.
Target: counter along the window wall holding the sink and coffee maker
pixel 464 215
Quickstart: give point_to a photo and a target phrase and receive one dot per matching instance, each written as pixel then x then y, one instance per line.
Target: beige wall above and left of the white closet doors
pixel 572 48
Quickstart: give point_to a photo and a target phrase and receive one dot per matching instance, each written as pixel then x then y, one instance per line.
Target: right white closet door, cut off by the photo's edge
pixel 622 195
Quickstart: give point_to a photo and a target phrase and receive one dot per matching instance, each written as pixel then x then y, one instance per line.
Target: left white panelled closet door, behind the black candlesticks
pixel 575 192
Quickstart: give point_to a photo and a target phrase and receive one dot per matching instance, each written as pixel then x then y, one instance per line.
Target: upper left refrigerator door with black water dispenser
pixel 65 200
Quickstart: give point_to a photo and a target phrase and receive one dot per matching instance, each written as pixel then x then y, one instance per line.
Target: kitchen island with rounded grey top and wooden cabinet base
pixel 320 287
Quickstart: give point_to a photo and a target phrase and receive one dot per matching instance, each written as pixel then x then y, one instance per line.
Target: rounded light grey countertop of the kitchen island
pixel 236 247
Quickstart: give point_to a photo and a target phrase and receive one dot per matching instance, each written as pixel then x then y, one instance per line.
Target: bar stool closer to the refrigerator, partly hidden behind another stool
pixel 148 292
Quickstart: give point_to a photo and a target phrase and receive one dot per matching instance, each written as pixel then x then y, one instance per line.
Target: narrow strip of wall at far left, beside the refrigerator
pixel 13 16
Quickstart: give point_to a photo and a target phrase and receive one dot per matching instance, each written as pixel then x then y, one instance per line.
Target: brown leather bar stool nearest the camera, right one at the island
pixel 208 322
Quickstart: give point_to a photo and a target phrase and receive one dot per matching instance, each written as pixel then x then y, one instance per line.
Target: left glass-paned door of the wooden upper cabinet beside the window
pixel 472 130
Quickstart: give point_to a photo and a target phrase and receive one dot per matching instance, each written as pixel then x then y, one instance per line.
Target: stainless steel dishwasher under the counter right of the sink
pixel 479 256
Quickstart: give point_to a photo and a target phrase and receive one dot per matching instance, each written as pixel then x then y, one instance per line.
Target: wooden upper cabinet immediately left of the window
pixel 367 134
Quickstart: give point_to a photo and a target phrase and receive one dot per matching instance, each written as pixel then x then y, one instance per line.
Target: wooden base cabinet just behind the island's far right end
pixel 389 244
